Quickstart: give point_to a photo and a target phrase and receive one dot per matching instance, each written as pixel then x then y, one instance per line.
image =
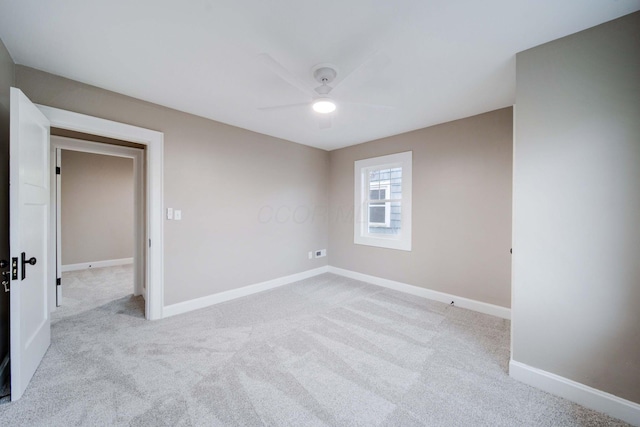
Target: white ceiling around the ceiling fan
pixel 445 59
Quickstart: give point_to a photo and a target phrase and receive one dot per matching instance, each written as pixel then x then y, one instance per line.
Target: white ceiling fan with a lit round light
pixel 321 102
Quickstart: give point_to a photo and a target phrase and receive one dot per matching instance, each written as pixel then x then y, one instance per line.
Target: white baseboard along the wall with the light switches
pixel 198 303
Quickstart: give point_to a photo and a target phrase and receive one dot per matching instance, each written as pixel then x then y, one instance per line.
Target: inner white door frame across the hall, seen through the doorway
pixel 136 154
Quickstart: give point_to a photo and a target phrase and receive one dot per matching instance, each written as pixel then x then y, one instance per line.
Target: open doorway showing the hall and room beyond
pixel 98 205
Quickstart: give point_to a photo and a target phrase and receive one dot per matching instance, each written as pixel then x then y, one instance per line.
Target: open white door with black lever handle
pixel 29 231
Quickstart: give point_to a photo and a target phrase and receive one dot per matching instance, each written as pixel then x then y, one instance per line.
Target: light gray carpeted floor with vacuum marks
pixel 326 351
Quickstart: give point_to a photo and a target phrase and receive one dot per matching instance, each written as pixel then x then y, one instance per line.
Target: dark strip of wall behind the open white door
pixel 6 81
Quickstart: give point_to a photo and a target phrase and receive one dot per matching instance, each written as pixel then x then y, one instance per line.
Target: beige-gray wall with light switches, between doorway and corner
pixel 227 181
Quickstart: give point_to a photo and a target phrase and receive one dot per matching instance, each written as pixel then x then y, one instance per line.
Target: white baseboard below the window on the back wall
pixel 467 303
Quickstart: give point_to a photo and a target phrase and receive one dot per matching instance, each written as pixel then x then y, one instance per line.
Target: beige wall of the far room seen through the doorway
pixel 97 207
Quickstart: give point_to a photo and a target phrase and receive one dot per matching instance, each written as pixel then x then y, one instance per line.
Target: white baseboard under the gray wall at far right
pixel 576 392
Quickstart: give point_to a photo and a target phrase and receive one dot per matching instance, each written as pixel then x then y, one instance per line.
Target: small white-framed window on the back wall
pixel 383 201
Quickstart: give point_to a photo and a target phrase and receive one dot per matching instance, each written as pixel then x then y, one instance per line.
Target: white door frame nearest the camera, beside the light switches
pixel 154 150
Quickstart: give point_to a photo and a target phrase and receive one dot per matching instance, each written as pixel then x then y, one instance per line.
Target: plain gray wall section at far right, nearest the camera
pixel 576 231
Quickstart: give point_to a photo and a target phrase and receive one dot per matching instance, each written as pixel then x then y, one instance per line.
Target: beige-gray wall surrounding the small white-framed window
pixel 461 215
